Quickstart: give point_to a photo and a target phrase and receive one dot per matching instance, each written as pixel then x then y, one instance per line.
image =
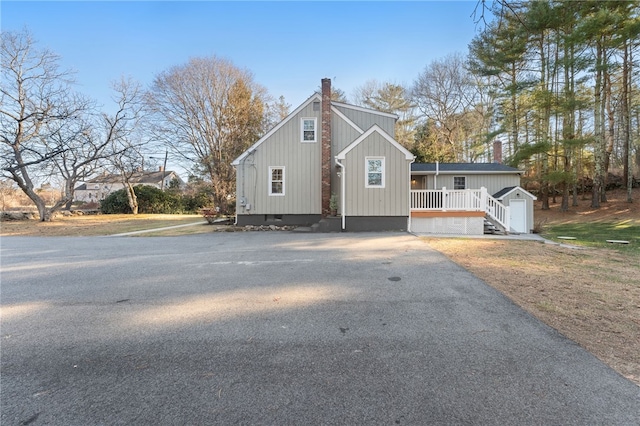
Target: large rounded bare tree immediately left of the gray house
pixel 208 112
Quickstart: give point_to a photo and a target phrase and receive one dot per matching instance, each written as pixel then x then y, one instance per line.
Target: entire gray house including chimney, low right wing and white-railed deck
pixel 328 152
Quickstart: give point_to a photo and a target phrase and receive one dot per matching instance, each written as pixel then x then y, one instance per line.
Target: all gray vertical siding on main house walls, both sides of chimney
pixel 302 163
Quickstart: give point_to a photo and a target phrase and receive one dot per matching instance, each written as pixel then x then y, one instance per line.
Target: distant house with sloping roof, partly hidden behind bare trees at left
pixel 97 189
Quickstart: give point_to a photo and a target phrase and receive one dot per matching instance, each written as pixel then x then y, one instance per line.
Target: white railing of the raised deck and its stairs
pixel 471 200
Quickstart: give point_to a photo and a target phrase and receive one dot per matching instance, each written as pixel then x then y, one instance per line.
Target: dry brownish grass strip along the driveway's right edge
pixel 591 296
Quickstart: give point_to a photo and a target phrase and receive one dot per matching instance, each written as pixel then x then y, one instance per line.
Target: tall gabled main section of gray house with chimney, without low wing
pixel 324 149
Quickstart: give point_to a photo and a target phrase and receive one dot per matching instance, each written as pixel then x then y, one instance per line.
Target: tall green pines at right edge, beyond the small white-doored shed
pixel 562 77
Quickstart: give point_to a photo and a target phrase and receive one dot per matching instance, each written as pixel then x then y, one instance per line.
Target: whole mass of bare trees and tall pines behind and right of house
pixel 555 81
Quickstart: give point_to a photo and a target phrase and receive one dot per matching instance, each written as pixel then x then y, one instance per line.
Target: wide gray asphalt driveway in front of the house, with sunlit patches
pixel 279 328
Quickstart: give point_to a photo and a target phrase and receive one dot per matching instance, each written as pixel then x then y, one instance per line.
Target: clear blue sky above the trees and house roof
pixel 288 46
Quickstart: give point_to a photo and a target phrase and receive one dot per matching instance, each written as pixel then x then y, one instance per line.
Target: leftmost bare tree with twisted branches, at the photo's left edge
pixel 36 104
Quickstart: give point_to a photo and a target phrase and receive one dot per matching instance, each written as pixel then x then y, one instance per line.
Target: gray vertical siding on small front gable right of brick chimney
pixel 393 199
